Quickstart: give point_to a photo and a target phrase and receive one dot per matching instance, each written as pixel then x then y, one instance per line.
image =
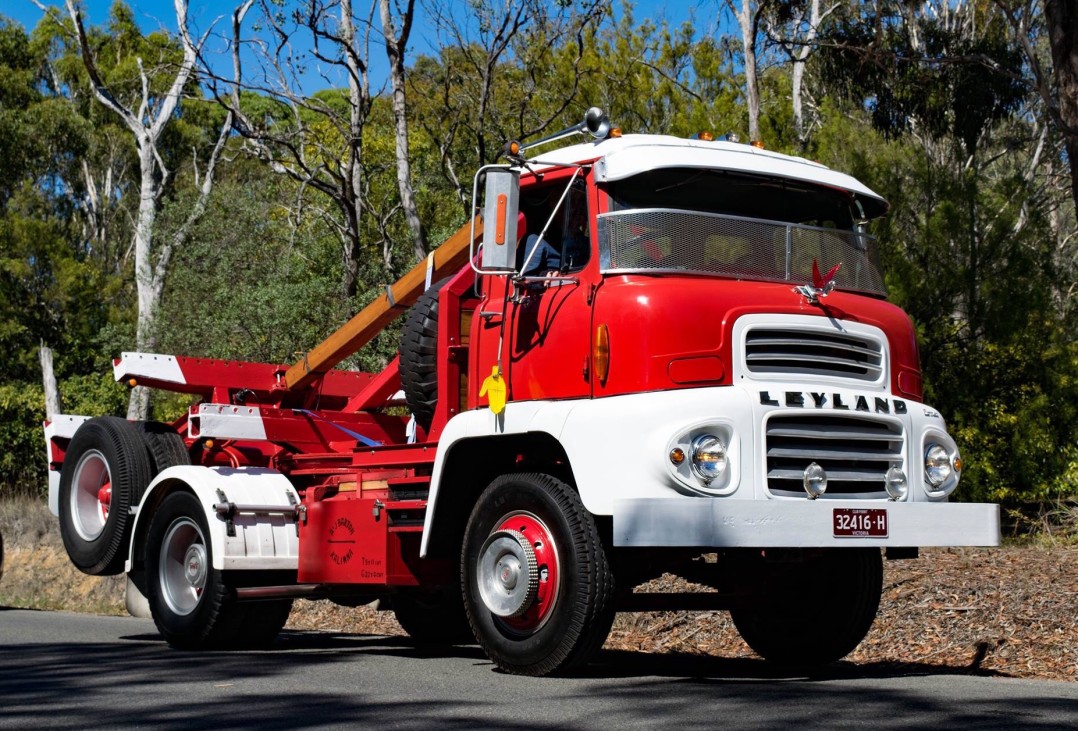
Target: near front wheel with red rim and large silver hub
pixel 535 526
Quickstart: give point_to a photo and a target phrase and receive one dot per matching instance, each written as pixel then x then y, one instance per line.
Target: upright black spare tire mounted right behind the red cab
pixel 419 356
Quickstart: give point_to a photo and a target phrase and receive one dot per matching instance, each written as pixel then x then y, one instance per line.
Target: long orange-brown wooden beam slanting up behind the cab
pixel 389 307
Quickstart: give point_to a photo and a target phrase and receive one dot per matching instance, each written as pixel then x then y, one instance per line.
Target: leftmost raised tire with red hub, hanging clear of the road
pixel 105 473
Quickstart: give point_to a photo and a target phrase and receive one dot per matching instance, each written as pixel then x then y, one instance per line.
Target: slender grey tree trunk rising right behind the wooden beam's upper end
pixel 395 52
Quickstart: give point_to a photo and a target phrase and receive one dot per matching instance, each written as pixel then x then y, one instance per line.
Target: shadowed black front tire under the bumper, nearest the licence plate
pixel 838 591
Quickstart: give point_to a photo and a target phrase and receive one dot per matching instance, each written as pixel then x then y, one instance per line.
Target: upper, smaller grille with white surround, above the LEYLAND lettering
pixel 782 352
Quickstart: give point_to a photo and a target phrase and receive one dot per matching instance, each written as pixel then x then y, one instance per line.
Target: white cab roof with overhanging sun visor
pixel 620 158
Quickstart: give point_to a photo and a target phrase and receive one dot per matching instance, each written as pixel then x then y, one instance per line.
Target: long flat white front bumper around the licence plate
pixel 733 523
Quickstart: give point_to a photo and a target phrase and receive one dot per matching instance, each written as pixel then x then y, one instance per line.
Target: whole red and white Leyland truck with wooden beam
pixel 648 355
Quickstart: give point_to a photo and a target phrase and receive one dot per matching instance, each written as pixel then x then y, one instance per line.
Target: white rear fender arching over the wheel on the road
pixel 261 541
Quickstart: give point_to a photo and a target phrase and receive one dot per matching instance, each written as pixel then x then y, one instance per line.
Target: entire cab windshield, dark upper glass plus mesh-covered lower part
pixel 736 225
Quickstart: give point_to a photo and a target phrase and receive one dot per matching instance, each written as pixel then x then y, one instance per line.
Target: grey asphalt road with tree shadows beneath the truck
pixel 76 671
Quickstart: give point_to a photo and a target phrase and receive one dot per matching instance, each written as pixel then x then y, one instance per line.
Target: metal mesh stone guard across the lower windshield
pixel 665 240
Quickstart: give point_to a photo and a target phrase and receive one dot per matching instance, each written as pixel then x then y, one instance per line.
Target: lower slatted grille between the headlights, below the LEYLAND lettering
pixel 855 452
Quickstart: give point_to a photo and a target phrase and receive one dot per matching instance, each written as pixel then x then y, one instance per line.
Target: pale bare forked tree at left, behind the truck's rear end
pixel 147 125
